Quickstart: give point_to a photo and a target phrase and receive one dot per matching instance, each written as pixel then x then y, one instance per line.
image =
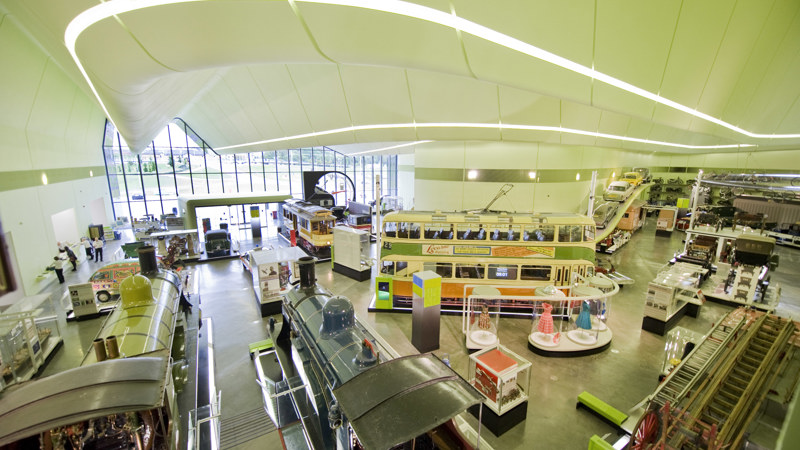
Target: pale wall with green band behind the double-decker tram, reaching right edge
pixel 566 195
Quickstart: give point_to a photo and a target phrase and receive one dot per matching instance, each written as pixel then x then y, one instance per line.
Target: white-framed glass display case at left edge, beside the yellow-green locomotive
pixel 29 334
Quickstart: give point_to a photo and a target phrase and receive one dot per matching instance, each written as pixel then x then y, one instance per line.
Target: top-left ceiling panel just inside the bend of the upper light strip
pixel 243 32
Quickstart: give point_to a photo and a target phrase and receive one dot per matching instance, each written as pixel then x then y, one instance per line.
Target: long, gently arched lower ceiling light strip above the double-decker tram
pixel 499 127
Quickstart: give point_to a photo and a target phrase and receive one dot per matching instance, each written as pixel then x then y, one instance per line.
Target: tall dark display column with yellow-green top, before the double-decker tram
pixel 426 306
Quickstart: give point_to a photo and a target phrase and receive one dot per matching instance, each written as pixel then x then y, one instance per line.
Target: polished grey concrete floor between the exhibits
pixel 621 375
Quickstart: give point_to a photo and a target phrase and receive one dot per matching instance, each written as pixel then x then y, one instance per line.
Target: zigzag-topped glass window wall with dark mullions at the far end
pixel 180 163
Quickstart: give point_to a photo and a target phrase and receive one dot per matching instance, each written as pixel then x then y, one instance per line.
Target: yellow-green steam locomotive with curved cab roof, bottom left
pixel 126 393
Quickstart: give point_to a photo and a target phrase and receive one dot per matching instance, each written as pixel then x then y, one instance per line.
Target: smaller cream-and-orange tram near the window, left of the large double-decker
pixel 312 226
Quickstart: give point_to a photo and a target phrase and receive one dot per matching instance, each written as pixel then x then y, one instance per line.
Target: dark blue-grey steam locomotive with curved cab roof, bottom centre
pixel 340 387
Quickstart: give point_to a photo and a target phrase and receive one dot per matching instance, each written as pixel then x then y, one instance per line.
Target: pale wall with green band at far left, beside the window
pixel 47 125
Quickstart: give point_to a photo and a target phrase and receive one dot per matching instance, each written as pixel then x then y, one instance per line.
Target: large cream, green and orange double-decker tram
pixel 516 252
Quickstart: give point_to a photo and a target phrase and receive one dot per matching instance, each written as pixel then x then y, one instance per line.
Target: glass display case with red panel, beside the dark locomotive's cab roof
pixel 502 376
